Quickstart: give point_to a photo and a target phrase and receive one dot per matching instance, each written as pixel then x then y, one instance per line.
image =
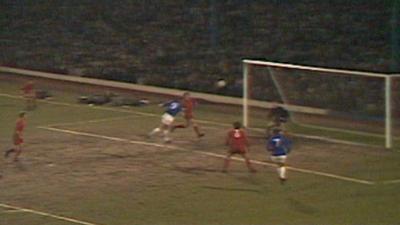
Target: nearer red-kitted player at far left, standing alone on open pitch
pixel 18 137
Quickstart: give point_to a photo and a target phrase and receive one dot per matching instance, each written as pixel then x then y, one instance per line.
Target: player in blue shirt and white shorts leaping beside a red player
pixel 172 109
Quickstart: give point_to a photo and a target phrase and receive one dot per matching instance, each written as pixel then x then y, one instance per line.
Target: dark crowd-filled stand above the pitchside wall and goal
pixel 191 43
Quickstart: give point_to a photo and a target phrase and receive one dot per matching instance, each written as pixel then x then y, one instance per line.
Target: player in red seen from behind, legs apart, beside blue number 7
pixel 238 144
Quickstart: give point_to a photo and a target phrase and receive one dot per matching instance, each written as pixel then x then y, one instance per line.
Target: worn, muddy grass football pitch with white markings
pixel 94 165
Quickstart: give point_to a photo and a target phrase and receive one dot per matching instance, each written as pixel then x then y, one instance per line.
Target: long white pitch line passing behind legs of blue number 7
pixel 344 178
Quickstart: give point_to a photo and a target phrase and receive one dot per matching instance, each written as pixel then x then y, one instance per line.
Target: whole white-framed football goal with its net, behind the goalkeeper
pixel 331 104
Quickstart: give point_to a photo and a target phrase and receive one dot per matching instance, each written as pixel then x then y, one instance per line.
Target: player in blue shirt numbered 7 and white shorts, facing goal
pixel 279 146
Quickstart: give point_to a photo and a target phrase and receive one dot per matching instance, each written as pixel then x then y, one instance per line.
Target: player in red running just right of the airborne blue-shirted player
pixel 188 104
